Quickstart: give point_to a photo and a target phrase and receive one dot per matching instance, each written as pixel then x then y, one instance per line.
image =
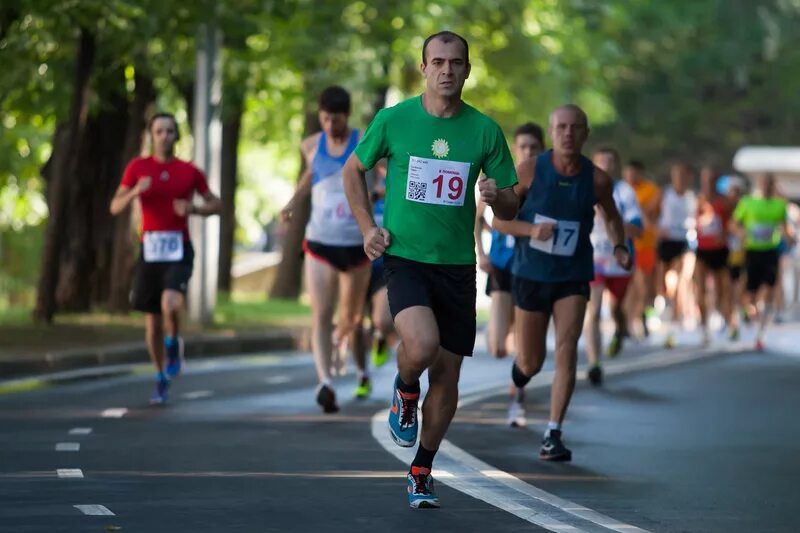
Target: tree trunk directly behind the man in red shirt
pixel 125 241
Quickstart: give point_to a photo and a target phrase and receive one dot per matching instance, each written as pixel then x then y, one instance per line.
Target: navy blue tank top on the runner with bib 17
pixel 567 201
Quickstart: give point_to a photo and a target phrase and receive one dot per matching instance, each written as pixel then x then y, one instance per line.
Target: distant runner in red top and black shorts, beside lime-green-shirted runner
pixel 713 214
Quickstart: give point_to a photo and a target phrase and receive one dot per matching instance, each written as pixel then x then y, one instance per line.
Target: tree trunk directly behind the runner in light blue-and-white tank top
pixel 290 271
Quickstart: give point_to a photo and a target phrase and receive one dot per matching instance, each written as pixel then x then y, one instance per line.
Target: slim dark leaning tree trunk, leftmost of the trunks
pixel 61 169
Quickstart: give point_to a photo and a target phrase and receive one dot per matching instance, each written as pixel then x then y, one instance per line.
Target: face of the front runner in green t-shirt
pixel 447 68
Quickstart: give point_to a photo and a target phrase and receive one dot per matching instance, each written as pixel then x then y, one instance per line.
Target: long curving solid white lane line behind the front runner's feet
pixel 502 489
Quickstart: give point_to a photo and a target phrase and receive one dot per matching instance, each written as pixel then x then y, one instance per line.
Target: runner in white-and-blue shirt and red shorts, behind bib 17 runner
pixel 608 274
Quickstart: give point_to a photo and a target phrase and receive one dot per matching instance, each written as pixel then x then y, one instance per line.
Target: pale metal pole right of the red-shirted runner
pixel 207 155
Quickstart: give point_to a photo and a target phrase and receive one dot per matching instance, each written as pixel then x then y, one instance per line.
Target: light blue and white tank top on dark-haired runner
pixel 331 221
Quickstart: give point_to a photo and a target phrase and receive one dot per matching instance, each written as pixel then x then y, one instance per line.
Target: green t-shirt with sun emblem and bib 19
pixel 433 165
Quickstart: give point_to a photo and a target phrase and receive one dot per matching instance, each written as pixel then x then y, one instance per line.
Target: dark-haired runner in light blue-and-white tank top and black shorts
pixel 334 249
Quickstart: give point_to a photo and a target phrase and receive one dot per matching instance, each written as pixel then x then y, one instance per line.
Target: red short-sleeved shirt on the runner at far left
pixel 168 181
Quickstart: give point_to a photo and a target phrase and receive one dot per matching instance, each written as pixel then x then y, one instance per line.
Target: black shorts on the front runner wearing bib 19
pixel 449 290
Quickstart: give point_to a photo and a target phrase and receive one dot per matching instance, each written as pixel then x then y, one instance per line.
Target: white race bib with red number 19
pixel 431 181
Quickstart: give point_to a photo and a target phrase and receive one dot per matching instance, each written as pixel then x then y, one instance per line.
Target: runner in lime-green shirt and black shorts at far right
pixel 760 219
